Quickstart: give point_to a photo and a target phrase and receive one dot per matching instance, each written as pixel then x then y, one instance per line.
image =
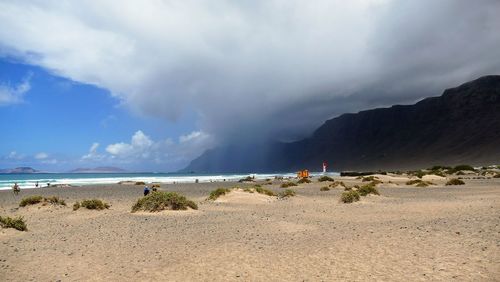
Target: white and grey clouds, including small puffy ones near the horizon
pixel 255 70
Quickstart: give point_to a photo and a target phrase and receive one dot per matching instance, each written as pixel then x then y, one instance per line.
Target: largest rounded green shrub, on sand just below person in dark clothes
pixel 163 201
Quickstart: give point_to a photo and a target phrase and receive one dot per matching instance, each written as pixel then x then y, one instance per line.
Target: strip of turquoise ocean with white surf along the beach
pixel 80 179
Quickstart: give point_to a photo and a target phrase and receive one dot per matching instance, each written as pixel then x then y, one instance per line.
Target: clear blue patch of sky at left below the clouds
pixel 58 120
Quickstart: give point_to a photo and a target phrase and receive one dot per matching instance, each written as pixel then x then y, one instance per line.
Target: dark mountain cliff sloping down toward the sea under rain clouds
pixel 461 126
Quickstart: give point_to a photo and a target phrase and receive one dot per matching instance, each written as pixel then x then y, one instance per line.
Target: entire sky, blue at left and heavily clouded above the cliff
pixel 150 85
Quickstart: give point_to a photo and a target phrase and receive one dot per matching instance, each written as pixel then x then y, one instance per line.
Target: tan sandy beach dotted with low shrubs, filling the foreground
pixel 446 233
